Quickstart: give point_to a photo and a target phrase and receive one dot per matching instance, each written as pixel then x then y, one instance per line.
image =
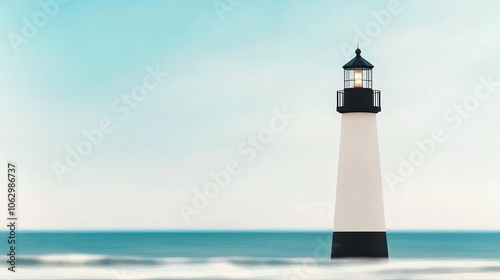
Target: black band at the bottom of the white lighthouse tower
pixel 359 244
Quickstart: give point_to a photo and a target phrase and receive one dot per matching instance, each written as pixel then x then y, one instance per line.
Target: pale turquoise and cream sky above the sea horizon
pixel 175 93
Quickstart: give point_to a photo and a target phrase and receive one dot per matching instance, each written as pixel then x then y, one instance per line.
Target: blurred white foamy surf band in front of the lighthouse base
pixel 75 266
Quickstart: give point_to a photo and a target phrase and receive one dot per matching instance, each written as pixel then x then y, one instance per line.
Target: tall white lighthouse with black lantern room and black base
pixel 359 222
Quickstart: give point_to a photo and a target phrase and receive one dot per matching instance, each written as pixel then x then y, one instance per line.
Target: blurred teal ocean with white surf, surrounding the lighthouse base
pixel 246 255
